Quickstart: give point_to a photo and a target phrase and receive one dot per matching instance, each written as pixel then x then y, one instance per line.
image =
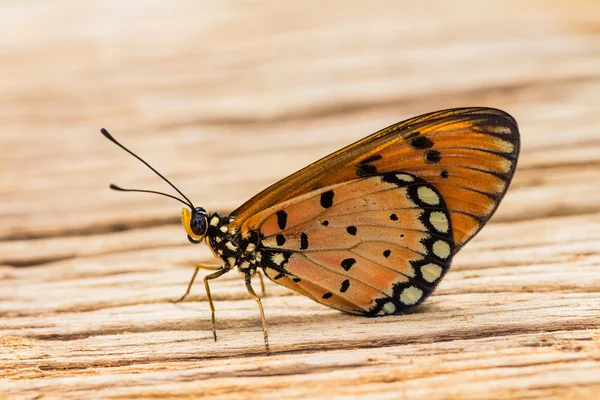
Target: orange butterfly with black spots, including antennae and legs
pixel 372 228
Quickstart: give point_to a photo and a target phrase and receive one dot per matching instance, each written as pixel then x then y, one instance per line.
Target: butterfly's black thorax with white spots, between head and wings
pixel 228 245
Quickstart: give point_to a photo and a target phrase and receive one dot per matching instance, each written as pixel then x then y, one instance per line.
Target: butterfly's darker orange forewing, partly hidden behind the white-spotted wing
pixel 469 155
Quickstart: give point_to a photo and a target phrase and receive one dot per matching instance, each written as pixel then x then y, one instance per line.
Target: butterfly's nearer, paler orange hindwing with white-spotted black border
pixel 376 245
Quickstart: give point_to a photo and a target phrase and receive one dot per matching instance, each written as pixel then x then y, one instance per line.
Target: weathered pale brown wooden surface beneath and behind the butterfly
pixel 226 97
